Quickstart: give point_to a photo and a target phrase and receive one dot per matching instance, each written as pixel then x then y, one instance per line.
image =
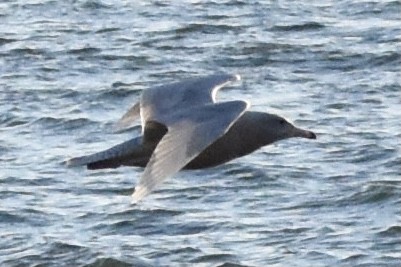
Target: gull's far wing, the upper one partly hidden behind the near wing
pixel 160 103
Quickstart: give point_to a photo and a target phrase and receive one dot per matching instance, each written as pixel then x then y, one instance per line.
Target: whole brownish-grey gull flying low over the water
pixel 184 128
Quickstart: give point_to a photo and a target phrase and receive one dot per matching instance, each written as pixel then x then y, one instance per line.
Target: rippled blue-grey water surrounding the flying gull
pixel 70 69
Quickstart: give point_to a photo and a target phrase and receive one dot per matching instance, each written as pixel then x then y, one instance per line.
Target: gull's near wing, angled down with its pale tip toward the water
pixel 192 132
